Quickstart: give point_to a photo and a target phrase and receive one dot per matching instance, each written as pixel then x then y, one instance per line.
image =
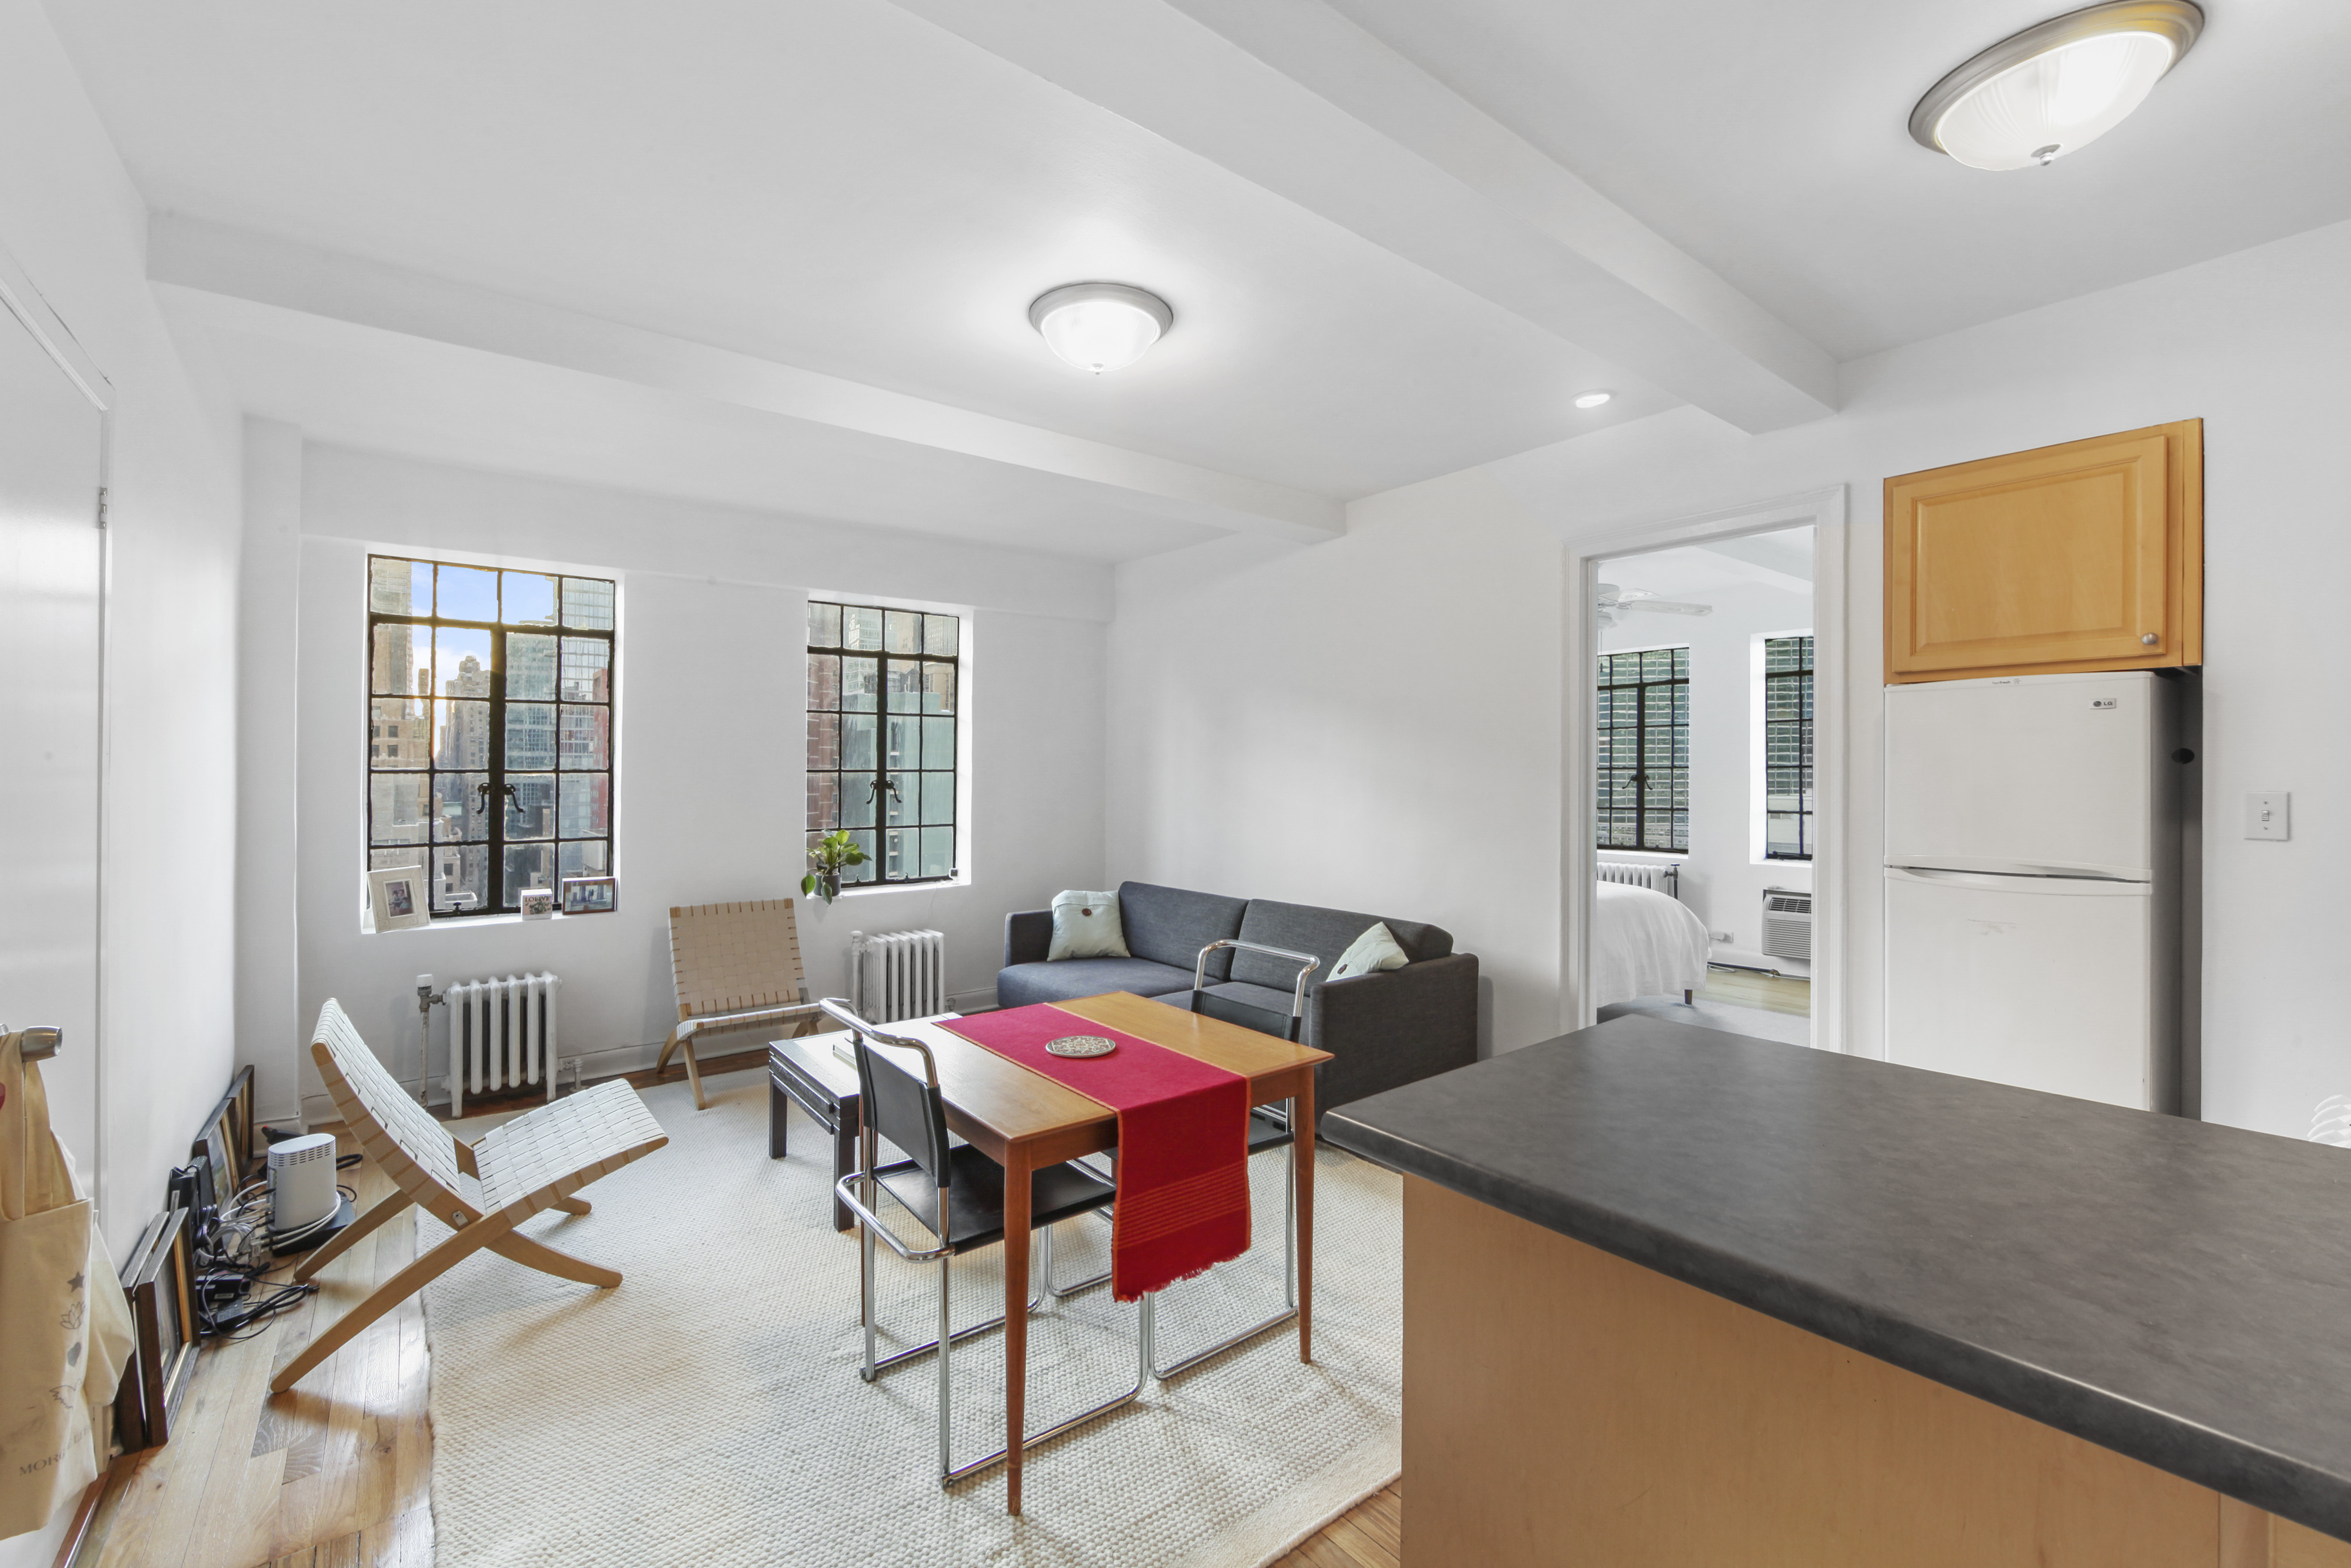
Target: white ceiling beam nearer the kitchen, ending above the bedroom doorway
pixel 1301 102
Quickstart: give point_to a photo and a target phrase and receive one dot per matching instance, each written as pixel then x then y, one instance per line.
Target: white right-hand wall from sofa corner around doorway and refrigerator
pixel 1308 723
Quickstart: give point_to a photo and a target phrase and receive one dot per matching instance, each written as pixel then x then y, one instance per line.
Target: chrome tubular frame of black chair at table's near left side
pixel 859 1191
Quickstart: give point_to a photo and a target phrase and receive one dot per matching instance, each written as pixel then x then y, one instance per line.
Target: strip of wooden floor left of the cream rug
pixel 333 1475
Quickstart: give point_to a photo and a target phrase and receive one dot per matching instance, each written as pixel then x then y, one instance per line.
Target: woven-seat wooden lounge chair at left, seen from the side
pixel 485 1188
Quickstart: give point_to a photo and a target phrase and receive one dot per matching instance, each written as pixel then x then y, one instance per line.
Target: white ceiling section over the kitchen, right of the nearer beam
pixel 1771 142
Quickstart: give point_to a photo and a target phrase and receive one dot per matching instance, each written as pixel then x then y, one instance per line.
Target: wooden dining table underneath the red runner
pixel 1026 1120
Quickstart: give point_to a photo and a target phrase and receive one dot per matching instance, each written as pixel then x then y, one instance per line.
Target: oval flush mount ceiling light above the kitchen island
pixel 2056 88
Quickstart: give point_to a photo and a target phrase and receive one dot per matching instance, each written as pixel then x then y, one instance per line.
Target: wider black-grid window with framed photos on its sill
pixel 490 730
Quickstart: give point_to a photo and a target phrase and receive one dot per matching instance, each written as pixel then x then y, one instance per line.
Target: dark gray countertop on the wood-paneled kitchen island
pixel 2171 1289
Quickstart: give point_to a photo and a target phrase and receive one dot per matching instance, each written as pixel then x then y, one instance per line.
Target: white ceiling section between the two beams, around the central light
pixel 836 187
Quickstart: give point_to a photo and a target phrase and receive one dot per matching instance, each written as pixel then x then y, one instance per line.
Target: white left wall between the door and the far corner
pixel 76 227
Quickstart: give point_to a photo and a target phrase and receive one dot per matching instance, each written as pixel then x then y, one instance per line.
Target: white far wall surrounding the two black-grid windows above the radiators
pixel 711 772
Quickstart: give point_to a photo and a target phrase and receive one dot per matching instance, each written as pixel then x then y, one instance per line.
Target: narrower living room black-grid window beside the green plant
pixel 883 718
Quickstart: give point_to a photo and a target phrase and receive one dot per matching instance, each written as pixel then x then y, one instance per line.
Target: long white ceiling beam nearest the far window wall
pixel 264 272
